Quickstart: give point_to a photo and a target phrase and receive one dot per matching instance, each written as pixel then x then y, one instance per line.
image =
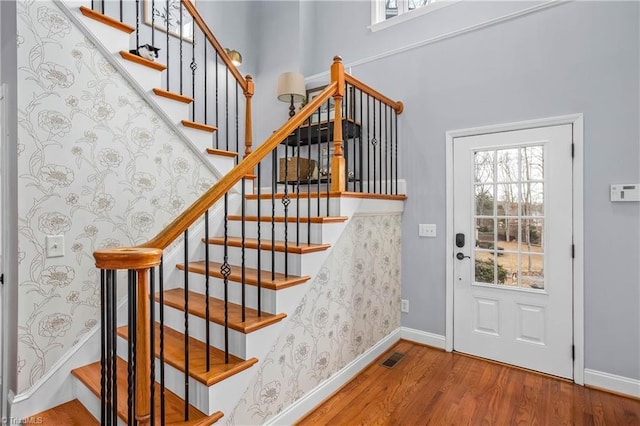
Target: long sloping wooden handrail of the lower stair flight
pixel 217 191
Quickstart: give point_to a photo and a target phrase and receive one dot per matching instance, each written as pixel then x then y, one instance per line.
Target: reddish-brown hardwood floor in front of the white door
pixel 430 386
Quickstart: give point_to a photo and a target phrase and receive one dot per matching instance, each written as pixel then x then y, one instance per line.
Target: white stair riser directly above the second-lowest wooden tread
pixel 207 399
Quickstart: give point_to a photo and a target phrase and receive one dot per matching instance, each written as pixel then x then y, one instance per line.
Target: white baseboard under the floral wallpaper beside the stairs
pixel 321 392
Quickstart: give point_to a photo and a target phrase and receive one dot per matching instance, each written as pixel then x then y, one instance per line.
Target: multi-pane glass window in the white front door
pixel 509 233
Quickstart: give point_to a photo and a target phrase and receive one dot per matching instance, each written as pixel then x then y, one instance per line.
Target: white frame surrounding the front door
pixel 576 121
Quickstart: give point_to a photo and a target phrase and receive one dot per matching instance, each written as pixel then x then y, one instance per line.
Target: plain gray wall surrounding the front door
pixel 575 57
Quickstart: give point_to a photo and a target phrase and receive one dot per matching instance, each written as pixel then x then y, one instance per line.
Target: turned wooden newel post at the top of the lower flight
pixel 338 175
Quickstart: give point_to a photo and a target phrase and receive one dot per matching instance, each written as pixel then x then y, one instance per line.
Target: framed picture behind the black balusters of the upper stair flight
pixel 169 15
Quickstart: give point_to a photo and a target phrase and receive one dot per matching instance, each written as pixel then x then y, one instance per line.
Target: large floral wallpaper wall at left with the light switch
pixel 96 165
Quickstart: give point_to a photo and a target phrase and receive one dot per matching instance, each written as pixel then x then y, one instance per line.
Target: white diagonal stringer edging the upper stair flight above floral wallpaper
pixel 77 19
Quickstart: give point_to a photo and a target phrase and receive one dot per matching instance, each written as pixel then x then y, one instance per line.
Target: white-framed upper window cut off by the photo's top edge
pixel 390 12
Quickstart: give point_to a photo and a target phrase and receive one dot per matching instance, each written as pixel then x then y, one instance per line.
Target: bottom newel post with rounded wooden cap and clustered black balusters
pixel 140 261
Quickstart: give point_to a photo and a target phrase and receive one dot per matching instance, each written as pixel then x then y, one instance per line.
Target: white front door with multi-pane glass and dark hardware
pixel 513 267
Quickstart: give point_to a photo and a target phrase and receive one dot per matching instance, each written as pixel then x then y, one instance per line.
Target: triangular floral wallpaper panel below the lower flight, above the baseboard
pixel 351 304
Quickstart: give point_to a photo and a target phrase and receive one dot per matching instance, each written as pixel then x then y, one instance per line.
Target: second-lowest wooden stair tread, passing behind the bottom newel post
pixel 174 405
